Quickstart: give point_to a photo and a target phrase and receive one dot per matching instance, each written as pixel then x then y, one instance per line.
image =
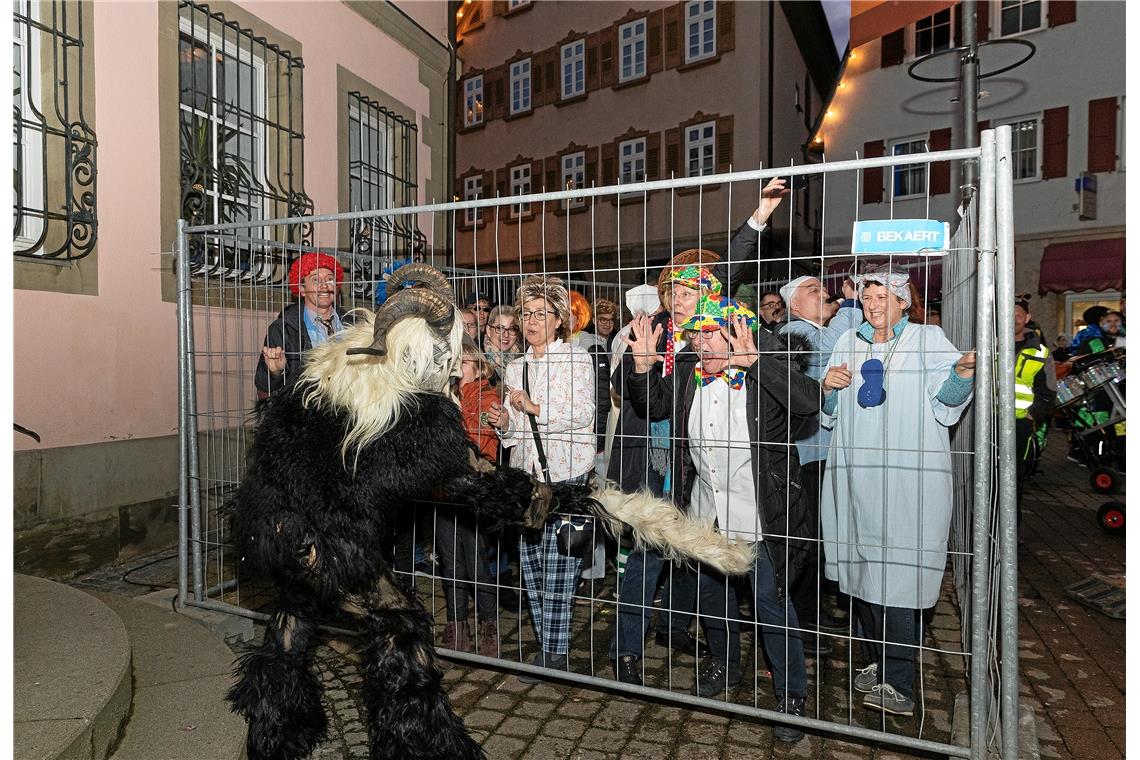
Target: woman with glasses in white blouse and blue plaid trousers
pixel 550 404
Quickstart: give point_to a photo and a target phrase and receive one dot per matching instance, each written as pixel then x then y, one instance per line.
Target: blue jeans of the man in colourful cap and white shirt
pixel 776 616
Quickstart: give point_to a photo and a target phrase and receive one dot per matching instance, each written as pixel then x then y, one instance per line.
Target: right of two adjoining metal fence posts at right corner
pixel 1007 463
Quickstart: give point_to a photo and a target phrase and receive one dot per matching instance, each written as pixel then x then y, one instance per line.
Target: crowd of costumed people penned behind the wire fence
pixel 815 428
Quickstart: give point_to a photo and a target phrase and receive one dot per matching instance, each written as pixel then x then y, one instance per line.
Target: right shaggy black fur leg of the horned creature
pixel 410 716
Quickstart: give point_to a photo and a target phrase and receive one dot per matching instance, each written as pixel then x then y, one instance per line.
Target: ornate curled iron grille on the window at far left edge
pixel 54 148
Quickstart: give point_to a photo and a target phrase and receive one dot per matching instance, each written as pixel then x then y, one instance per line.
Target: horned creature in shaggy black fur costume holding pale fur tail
pixel 336 461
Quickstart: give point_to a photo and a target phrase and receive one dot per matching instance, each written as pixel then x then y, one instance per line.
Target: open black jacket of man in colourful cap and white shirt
pixel 777 390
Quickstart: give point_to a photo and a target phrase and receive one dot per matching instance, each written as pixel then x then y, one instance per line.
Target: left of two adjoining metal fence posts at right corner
pixel 983 459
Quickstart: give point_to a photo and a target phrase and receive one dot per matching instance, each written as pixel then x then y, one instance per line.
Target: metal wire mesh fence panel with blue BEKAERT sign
pixel 889 503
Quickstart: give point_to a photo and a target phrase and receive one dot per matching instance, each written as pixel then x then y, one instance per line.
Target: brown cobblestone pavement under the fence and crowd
pixel 1072 667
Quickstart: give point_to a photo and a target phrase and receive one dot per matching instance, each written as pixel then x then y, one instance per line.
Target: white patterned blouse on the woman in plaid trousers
pixel 563 385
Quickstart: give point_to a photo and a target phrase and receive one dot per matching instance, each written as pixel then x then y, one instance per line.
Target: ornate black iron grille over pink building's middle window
pixel 241 116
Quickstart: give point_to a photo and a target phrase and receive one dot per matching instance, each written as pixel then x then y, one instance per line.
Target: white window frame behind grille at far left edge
pixel 31 141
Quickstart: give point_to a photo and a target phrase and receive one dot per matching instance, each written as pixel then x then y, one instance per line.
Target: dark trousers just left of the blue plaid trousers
pixel 463 560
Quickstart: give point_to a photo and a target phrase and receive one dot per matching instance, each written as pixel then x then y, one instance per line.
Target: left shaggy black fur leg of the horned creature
pixel 279 694
